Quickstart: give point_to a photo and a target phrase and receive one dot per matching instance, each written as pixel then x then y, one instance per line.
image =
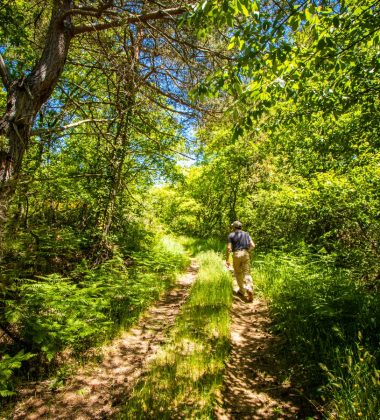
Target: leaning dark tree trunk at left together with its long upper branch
pixel 26 95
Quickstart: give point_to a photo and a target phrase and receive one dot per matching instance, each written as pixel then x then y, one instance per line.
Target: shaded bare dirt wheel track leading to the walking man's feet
pixel 254 384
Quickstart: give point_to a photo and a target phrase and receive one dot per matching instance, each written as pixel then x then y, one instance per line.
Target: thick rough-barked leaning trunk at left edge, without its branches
pixel 26 95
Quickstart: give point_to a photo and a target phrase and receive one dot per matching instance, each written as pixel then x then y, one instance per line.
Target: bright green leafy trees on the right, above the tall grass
pixel 297 158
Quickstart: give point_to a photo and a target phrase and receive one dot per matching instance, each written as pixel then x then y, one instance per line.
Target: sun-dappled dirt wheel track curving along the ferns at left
pixel 96 393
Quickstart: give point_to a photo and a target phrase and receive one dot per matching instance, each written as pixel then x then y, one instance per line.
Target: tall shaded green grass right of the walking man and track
pixel 331 325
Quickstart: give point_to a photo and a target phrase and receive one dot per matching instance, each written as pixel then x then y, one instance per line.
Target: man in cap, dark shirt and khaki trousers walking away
pixel 240 243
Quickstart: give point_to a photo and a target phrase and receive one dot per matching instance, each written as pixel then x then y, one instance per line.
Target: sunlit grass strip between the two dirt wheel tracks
pixel 183 380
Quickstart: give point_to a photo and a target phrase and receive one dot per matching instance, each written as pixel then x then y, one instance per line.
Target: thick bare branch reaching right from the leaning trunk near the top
pixel 159 14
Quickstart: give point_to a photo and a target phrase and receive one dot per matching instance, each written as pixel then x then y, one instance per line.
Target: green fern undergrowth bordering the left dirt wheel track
pixel 72 313
